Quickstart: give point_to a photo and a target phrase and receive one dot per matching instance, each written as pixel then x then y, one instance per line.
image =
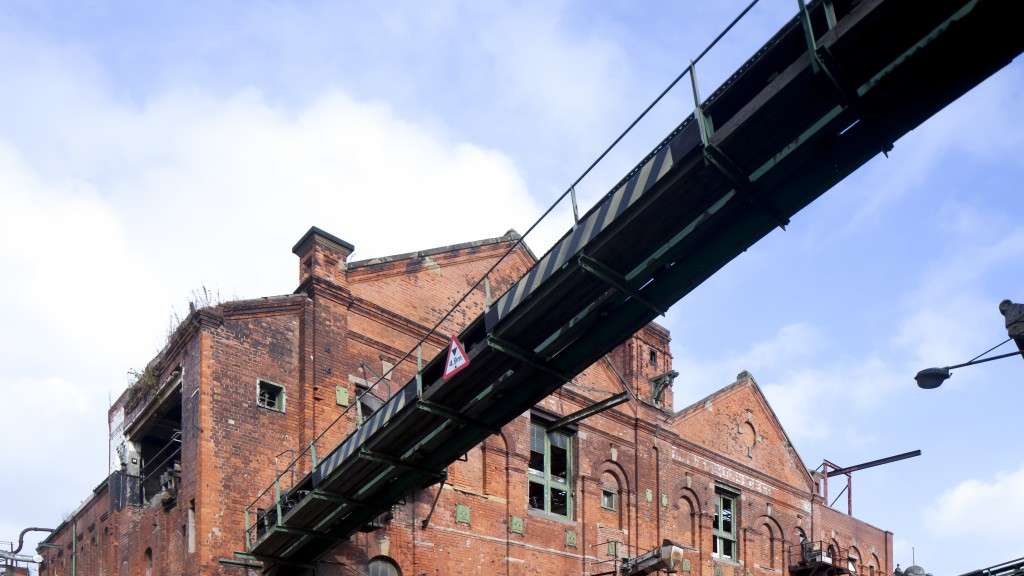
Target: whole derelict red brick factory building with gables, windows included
pixel 243 388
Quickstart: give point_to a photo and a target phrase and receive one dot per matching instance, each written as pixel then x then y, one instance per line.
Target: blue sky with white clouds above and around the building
pixel 151 151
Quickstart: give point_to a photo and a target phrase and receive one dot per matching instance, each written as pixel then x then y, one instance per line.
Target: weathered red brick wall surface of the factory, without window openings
pixel 347 324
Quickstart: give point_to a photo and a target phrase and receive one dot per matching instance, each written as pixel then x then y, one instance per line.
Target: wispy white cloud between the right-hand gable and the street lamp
pixel 948 318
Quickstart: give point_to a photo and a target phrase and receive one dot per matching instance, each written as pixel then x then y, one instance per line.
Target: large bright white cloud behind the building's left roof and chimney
pixel 136 205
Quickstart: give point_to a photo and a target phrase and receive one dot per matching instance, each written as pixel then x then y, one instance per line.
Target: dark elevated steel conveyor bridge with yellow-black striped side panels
pixel 835 87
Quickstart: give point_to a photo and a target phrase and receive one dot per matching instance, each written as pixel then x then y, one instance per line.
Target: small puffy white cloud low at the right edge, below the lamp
pixel 982 509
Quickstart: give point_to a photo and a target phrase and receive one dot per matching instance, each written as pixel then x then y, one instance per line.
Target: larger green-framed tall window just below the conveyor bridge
pixel 550 472
